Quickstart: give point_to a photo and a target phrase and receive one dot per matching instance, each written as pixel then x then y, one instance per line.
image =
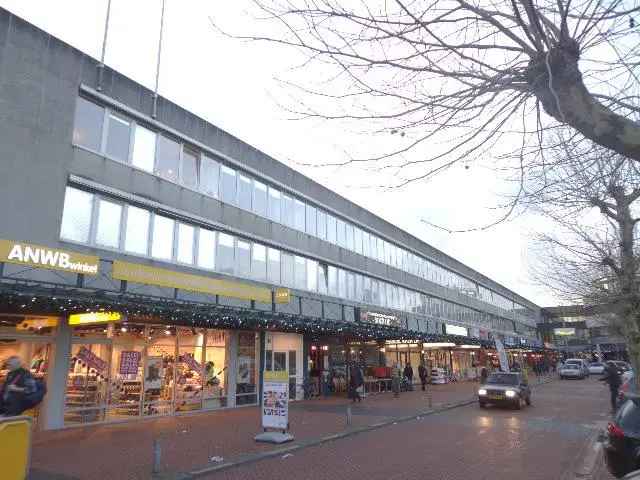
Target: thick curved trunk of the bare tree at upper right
pixel 569 101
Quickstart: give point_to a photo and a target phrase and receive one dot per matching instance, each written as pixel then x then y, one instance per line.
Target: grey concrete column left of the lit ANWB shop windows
pixel 53 405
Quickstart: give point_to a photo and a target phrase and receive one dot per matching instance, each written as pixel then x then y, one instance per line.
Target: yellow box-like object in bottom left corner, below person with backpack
pixel 15 447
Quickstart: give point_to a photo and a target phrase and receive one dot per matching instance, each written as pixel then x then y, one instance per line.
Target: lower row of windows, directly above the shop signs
pixel 102 222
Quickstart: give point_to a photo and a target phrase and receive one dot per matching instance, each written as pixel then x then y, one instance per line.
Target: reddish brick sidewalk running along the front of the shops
pixel 124 451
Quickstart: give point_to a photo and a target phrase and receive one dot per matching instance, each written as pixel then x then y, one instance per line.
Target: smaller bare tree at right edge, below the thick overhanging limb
pixel 592 254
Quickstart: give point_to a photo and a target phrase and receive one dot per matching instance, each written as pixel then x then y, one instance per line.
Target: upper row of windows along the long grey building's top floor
pixel 106 131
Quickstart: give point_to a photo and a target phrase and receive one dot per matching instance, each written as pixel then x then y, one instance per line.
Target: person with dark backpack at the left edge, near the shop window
pixel 20 391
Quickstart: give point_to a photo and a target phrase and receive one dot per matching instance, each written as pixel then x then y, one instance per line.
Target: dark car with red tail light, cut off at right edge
pixel 622 442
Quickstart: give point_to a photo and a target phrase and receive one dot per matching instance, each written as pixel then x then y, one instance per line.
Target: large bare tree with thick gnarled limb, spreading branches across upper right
pixel 453 77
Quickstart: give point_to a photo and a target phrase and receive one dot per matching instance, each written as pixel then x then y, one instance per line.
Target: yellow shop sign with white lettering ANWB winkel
pixel 50 258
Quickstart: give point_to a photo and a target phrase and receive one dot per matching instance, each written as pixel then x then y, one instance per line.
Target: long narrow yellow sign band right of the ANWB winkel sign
pixel 134 272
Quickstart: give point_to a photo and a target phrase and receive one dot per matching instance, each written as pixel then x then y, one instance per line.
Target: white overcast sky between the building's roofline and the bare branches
pixel 235 86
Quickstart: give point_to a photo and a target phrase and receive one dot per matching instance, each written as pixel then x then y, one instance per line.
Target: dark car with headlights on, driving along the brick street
pixel 509 389
